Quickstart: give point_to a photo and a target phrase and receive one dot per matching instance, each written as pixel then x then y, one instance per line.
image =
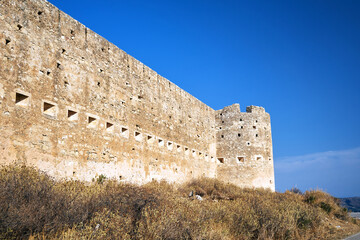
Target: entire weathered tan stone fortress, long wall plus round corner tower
pixel 76 106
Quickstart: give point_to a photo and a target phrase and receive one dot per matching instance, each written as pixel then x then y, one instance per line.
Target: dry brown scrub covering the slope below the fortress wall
pixel 34 205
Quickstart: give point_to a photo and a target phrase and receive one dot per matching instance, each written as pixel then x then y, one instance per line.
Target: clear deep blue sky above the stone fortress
pixel 298 59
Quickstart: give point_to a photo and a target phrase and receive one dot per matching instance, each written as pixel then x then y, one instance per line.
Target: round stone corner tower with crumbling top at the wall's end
pixel 244 146
